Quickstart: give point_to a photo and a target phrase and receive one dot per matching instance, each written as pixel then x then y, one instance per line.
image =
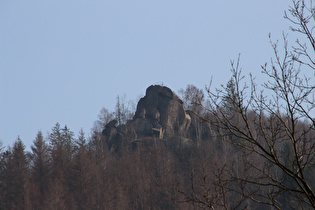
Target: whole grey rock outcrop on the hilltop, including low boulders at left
pixel 160 114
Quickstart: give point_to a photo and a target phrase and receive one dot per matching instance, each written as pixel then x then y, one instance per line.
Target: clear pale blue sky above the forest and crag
pixel 63 61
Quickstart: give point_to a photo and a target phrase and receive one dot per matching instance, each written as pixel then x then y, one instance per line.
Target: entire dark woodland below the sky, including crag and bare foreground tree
pixel 239 146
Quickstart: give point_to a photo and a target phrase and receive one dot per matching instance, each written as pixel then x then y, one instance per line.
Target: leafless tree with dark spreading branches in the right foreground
pixel 274 127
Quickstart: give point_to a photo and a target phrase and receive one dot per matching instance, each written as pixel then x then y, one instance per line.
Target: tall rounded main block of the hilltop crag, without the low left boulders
pixel 162 113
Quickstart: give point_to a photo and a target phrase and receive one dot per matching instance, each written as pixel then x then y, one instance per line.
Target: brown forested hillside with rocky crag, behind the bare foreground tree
pixel 164 157
